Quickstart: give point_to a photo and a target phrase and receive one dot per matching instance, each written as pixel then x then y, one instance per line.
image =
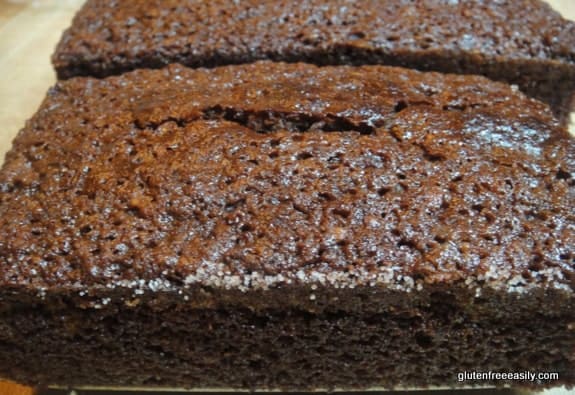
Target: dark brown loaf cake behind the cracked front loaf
pixel 521 42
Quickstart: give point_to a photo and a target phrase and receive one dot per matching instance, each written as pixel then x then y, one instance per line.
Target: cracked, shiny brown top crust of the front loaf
pixel 269 174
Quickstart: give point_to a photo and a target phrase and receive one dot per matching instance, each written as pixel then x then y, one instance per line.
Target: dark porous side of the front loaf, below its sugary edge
pixel 157 341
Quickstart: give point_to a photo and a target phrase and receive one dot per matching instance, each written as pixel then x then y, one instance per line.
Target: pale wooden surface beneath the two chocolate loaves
pixel 29 30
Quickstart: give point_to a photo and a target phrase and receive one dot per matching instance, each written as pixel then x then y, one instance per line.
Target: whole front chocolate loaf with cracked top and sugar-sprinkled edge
pixel 288 226
